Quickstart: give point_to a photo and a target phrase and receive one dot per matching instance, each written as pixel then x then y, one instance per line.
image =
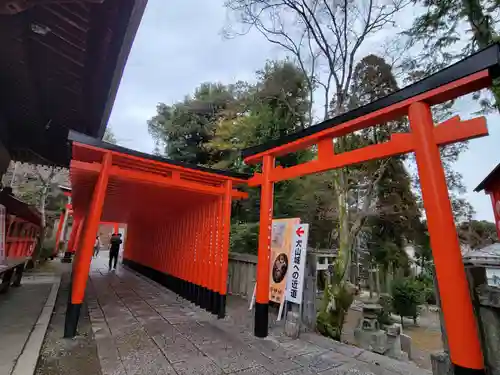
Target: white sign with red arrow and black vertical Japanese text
pixel 295 279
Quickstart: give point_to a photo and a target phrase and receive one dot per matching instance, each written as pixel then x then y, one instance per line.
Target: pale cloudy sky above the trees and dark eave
pixel 179 45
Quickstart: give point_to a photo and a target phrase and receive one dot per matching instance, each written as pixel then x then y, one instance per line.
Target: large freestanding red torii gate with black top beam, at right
pixel 415 101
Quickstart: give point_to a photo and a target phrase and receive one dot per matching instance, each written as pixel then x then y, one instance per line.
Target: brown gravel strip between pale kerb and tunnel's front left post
pixel 61 356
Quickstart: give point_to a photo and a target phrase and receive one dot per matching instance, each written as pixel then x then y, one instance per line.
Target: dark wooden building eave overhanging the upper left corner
pixel 60 67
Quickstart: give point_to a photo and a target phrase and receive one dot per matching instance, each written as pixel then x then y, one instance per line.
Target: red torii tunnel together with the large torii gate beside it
pixel 178 215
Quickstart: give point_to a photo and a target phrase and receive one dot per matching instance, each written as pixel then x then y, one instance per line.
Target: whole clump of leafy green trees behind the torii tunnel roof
pixel 212 126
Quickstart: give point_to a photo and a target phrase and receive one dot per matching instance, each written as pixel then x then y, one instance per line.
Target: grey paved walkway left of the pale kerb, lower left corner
pixel 19 311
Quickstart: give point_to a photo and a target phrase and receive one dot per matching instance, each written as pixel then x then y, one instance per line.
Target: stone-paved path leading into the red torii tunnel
pixel 140 327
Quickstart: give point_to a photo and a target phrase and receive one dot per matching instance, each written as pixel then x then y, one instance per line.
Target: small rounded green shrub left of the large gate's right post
pixel 407 294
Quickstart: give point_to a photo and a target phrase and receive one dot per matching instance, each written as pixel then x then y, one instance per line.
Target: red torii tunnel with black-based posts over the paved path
pixel 177 216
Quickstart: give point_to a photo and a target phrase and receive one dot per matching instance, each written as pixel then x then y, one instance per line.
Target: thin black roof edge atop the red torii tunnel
pixel 90 141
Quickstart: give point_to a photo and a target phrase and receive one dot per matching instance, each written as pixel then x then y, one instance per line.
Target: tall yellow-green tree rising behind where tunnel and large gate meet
pixel 275 106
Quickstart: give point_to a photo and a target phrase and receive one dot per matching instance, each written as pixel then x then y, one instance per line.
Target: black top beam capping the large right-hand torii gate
pixel 488 58
